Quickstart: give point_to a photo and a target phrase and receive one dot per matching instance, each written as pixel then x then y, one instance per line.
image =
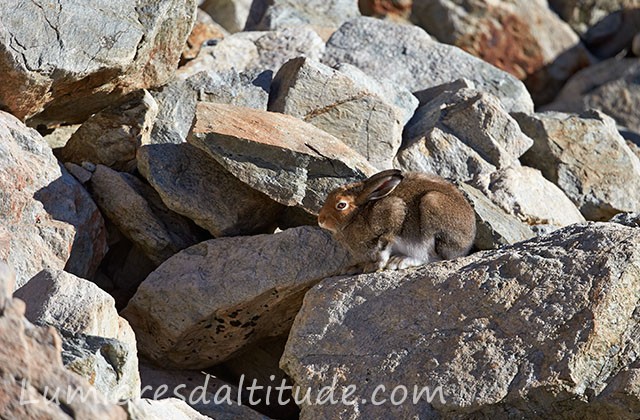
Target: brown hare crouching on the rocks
pixel 422 219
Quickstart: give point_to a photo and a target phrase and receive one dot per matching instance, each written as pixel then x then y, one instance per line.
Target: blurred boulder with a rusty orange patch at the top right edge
pixel 522 37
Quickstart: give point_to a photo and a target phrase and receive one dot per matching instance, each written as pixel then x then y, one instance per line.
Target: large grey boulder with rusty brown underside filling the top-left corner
pixel 85 56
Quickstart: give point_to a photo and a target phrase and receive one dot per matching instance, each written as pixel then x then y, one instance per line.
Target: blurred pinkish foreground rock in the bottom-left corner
pixel 32 369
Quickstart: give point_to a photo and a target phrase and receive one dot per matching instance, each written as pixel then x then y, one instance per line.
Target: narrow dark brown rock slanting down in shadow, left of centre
pixel 138 212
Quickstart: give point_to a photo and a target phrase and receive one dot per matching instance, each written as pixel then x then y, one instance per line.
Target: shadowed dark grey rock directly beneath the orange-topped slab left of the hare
pixel 193 184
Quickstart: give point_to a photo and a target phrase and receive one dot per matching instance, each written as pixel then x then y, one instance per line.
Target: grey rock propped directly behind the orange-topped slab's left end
pixel 177 100
